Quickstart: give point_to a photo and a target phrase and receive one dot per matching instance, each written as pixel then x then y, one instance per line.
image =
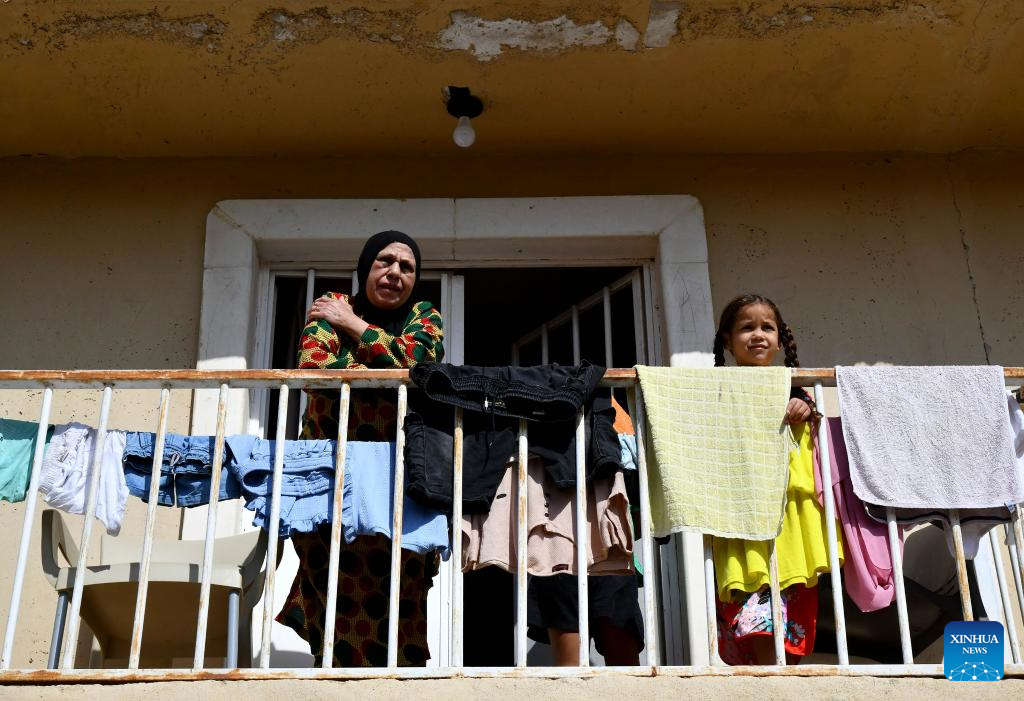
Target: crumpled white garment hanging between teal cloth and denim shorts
pixel 65 476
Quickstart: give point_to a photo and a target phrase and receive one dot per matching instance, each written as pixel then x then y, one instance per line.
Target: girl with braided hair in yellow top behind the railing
pixel 753 332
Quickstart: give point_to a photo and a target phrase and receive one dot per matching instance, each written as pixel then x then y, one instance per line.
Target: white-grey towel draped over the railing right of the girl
pixel 929 437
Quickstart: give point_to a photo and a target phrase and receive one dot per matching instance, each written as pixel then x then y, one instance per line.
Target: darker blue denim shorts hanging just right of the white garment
pixel 185 473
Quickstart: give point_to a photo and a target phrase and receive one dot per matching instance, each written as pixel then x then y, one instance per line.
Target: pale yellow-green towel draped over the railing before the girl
pixel 721 452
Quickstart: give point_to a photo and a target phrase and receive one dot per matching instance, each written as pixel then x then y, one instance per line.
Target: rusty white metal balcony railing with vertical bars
pixel 346 381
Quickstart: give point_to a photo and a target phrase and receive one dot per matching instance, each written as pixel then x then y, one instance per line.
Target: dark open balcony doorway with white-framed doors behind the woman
pixel 493 317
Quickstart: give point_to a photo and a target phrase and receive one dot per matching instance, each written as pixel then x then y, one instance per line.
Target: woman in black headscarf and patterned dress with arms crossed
pixel 379 328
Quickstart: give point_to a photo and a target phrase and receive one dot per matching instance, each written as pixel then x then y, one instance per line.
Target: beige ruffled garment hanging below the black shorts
pixel 489 539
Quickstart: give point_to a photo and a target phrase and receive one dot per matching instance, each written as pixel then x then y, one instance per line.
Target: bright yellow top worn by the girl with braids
pixel 803 555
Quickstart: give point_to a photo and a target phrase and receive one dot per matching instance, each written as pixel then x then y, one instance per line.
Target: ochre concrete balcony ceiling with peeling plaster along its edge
pixel 194 78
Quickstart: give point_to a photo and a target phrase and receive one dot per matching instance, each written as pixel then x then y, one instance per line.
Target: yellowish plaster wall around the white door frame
pixel 908 259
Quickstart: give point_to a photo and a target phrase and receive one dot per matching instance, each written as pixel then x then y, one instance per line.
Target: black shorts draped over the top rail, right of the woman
pixel 549 398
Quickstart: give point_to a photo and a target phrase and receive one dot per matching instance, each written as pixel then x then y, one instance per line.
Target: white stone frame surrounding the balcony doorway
pixel 243 237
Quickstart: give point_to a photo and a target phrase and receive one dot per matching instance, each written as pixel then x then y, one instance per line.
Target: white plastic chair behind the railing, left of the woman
pixel 173 603
